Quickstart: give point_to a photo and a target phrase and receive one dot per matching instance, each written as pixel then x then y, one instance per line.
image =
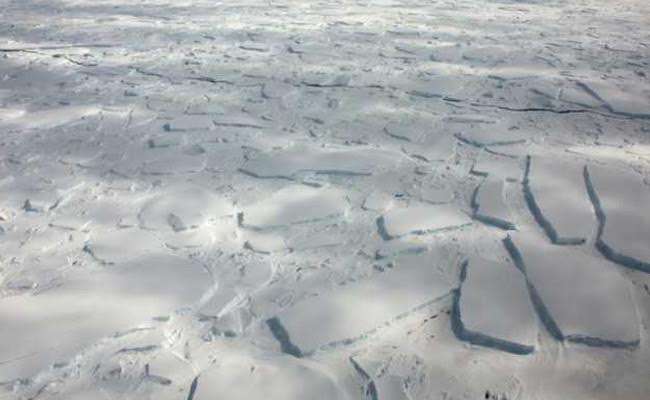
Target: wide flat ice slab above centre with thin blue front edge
pixel 325 160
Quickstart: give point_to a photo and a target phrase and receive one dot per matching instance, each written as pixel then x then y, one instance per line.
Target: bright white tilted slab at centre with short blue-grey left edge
pixel 294 204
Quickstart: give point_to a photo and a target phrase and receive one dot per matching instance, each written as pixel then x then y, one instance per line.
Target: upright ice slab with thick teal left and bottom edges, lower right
pixel 492 307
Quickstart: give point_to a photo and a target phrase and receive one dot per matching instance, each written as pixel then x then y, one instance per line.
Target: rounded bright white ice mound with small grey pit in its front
pixel 186 207
